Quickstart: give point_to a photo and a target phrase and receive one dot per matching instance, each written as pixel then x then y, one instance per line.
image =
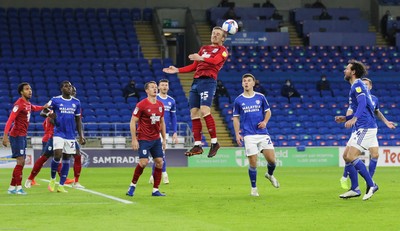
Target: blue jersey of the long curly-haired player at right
pixel 367 118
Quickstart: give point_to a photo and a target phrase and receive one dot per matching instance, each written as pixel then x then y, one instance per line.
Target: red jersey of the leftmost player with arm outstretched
pixel 22 111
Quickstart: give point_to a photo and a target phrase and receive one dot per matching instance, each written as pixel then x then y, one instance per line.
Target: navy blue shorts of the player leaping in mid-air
pixel 202 92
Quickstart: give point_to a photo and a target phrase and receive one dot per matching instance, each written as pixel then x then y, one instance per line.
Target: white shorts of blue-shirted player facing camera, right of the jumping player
pixel 254 144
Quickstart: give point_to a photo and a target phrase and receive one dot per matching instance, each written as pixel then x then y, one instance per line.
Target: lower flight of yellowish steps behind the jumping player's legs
pixel 223 135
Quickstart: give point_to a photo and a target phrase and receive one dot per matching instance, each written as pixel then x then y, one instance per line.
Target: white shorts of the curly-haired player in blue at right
pixel 363 139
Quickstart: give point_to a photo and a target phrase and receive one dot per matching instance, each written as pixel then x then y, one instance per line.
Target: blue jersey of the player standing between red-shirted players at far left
pixel 66 110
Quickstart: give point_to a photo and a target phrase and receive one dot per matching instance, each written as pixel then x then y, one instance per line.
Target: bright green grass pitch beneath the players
pixel 204 199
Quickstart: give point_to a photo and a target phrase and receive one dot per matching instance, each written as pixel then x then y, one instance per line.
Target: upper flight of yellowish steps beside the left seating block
pixel 148 41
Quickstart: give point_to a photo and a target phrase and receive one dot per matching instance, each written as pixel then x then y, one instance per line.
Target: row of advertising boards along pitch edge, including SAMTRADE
pixel 226 157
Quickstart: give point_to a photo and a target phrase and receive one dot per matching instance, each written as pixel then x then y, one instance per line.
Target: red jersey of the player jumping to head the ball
pixel 209 69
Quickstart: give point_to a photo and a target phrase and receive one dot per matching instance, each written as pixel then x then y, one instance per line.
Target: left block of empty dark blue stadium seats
pixel 96 49
